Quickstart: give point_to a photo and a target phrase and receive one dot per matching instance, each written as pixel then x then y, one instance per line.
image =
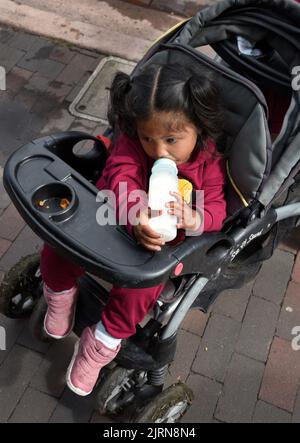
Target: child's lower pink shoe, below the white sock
pixel 90 355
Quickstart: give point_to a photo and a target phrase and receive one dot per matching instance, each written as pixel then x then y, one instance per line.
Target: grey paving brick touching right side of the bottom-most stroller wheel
pixel 206 395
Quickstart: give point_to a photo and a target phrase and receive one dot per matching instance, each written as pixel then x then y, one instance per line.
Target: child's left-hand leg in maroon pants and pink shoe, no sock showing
pixel 60 291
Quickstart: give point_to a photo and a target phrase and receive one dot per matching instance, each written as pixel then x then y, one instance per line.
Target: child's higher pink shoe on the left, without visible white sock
pixel 60 315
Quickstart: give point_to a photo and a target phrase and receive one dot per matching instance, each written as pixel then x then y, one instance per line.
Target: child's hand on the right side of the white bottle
pixel 187 217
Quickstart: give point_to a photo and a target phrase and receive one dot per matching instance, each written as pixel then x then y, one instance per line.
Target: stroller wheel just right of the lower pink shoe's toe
pixel 114 390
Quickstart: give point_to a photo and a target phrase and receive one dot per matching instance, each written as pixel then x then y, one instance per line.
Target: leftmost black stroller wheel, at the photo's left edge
pixel 20 287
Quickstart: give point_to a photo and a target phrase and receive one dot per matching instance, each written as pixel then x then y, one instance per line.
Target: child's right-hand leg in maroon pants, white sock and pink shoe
pixel 100 344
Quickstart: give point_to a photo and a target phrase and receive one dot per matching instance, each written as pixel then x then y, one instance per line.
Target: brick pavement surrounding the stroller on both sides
pixel 238 358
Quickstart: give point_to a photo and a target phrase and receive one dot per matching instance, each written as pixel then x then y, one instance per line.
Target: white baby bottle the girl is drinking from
pixel 163 180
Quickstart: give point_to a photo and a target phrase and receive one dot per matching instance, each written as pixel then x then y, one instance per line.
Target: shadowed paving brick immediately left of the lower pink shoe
pixel 51 376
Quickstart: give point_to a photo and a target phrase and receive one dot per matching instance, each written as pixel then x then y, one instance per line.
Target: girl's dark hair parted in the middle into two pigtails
pixel 170 88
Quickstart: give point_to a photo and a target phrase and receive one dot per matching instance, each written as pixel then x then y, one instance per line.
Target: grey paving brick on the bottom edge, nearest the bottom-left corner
pixel 34 407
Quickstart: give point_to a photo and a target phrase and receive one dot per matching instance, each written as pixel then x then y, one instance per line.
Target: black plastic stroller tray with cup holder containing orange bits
pixel 60 205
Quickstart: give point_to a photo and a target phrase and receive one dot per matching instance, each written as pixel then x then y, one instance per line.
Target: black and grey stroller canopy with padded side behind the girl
pixel 258 170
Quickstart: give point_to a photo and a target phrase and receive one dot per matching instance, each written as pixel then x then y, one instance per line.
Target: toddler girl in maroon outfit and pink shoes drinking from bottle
pixel 163 112
